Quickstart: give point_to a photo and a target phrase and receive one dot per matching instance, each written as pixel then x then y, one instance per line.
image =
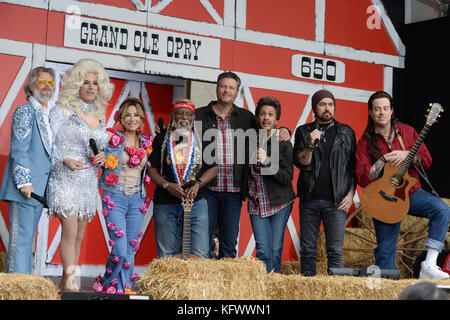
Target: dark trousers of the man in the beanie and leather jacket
pixel 312 213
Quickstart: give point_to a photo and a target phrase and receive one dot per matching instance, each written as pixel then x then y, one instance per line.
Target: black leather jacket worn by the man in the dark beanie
pixel 342 162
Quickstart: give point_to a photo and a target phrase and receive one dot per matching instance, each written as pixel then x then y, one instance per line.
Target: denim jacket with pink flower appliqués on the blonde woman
pixel 116 147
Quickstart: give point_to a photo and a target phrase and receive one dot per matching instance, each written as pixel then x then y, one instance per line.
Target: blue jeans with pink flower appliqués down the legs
pixel 126 216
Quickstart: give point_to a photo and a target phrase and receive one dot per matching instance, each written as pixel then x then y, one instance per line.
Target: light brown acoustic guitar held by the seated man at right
pixel 387 199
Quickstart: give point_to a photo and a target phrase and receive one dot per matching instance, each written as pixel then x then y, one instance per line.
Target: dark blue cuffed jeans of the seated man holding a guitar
pixel 421 204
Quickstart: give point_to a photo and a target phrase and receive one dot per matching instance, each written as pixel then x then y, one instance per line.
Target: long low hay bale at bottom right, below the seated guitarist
pixel 297 287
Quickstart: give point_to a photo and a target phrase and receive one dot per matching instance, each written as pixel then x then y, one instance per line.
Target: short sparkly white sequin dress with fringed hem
pixel 74 192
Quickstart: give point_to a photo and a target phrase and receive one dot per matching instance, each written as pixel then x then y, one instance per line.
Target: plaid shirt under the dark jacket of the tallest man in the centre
pixel 226 155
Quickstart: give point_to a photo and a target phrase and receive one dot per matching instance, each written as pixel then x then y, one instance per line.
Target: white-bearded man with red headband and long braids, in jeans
pixel 177 162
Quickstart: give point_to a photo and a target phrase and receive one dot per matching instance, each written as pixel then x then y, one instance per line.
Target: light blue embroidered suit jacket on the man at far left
pixel 30 157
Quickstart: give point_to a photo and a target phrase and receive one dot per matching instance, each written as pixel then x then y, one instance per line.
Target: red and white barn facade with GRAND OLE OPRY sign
pixel 288 49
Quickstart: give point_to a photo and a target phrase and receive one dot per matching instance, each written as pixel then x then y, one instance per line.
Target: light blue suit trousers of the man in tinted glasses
pixel 23 221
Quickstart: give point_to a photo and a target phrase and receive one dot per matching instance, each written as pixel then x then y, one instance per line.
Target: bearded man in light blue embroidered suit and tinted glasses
pixel 28 167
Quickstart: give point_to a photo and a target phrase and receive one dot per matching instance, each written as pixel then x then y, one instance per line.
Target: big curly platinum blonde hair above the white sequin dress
pixel 73 80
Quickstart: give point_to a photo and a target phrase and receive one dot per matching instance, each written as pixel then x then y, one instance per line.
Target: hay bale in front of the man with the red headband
pixel 204 279
